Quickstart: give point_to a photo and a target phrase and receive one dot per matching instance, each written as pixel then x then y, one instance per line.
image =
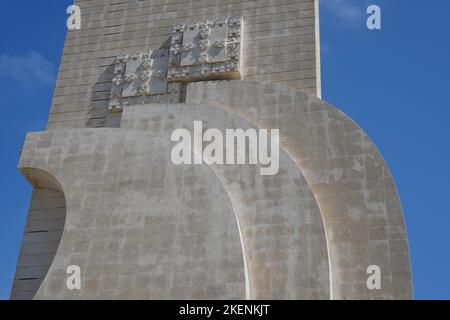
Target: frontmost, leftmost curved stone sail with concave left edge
pixel 138 226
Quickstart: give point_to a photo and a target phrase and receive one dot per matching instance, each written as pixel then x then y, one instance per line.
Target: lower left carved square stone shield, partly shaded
pixel 142 78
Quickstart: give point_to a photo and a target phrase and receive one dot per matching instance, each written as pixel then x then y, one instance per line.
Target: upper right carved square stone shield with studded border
pixel 206 51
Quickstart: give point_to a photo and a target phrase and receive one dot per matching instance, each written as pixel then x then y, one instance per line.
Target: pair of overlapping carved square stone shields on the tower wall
pixel 198 51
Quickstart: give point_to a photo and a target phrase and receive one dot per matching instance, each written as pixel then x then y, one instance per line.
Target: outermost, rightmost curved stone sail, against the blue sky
pixel 351 181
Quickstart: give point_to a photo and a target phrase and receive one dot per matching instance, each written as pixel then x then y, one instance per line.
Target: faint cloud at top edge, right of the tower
pixel 346 11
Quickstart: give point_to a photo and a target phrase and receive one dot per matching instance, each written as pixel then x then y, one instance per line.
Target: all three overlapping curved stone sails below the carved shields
pixel 141 227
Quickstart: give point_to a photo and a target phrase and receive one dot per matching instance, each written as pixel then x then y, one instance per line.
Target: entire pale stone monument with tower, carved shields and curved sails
pixel 108 199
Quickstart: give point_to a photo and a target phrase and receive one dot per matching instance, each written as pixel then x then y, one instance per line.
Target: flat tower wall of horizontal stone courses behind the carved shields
pixel 279 44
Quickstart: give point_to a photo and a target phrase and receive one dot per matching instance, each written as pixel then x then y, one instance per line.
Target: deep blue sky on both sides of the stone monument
pixel 392 82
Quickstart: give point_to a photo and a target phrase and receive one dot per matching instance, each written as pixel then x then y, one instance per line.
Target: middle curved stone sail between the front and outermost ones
pixel 282 229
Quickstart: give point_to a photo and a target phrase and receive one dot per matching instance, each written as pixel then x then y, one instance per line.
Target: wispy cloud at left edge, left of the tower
pixel 31 68
